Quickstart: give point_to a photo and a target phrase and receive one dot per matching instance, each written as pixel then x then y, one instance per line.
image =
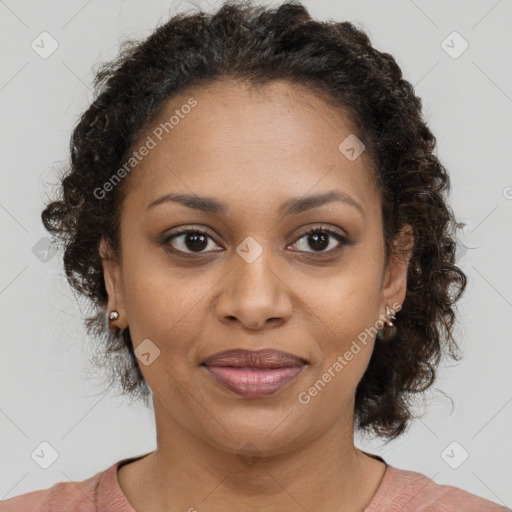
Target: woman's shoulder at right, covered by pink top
pixel 402 490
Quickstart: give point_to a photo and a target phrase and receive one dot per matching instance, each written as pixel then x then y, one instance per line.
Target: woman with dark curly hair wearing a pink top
pixel 317 300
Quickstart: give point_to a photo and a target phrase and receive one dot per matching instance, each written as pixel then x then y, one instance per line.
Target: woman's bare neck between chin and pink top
pixel 187 472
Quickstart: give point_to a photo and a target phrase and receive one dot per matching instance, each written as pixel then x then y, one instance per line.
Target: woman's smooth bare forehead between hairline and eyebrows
pixel 237 141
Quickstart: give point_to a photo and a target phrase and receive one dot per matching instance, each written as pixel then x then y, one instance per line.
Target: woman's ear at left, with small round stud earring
pixel 113 284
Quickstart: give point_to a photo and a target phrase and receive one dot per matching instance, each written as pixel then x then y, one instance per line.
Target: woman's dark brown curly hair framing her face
pixel 257 45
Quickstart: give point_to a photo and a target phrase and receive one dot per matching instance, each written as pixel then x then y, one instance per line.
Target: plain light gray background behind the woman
pixel 46 394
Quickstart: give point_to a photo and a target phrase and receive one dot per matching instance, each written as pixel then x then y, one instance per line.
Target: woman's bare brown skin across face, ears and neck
pixel 252 148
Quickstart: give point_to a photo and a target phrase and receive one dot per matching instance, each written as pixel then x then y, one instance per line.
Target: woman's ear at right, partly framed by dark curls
pixel 394 284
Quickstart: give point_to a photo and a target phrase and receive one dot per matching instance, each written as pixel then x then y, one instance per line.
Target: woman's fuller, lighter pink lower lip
pixel 254 382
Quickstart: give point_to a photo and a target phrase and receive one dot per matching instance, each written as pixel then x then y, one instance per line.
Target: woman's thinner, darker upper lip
pixel 254 359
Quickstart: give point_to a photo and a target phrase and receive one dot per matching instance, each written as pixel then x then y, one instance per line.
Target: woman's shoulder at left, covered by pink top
pixel 80 496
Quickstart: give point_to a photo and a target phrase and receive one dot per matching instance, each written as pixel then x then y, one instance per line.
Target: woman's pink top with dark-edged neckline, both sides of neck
pixel 400 491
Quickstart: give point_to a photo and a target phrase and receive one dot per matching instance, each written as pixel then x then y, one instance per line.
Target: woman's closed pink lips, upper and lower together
pixel 254 374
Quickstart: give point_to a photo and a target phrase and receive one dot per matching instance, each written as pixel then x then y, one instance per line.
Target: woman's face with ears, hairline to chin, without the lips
pixel 252 278
